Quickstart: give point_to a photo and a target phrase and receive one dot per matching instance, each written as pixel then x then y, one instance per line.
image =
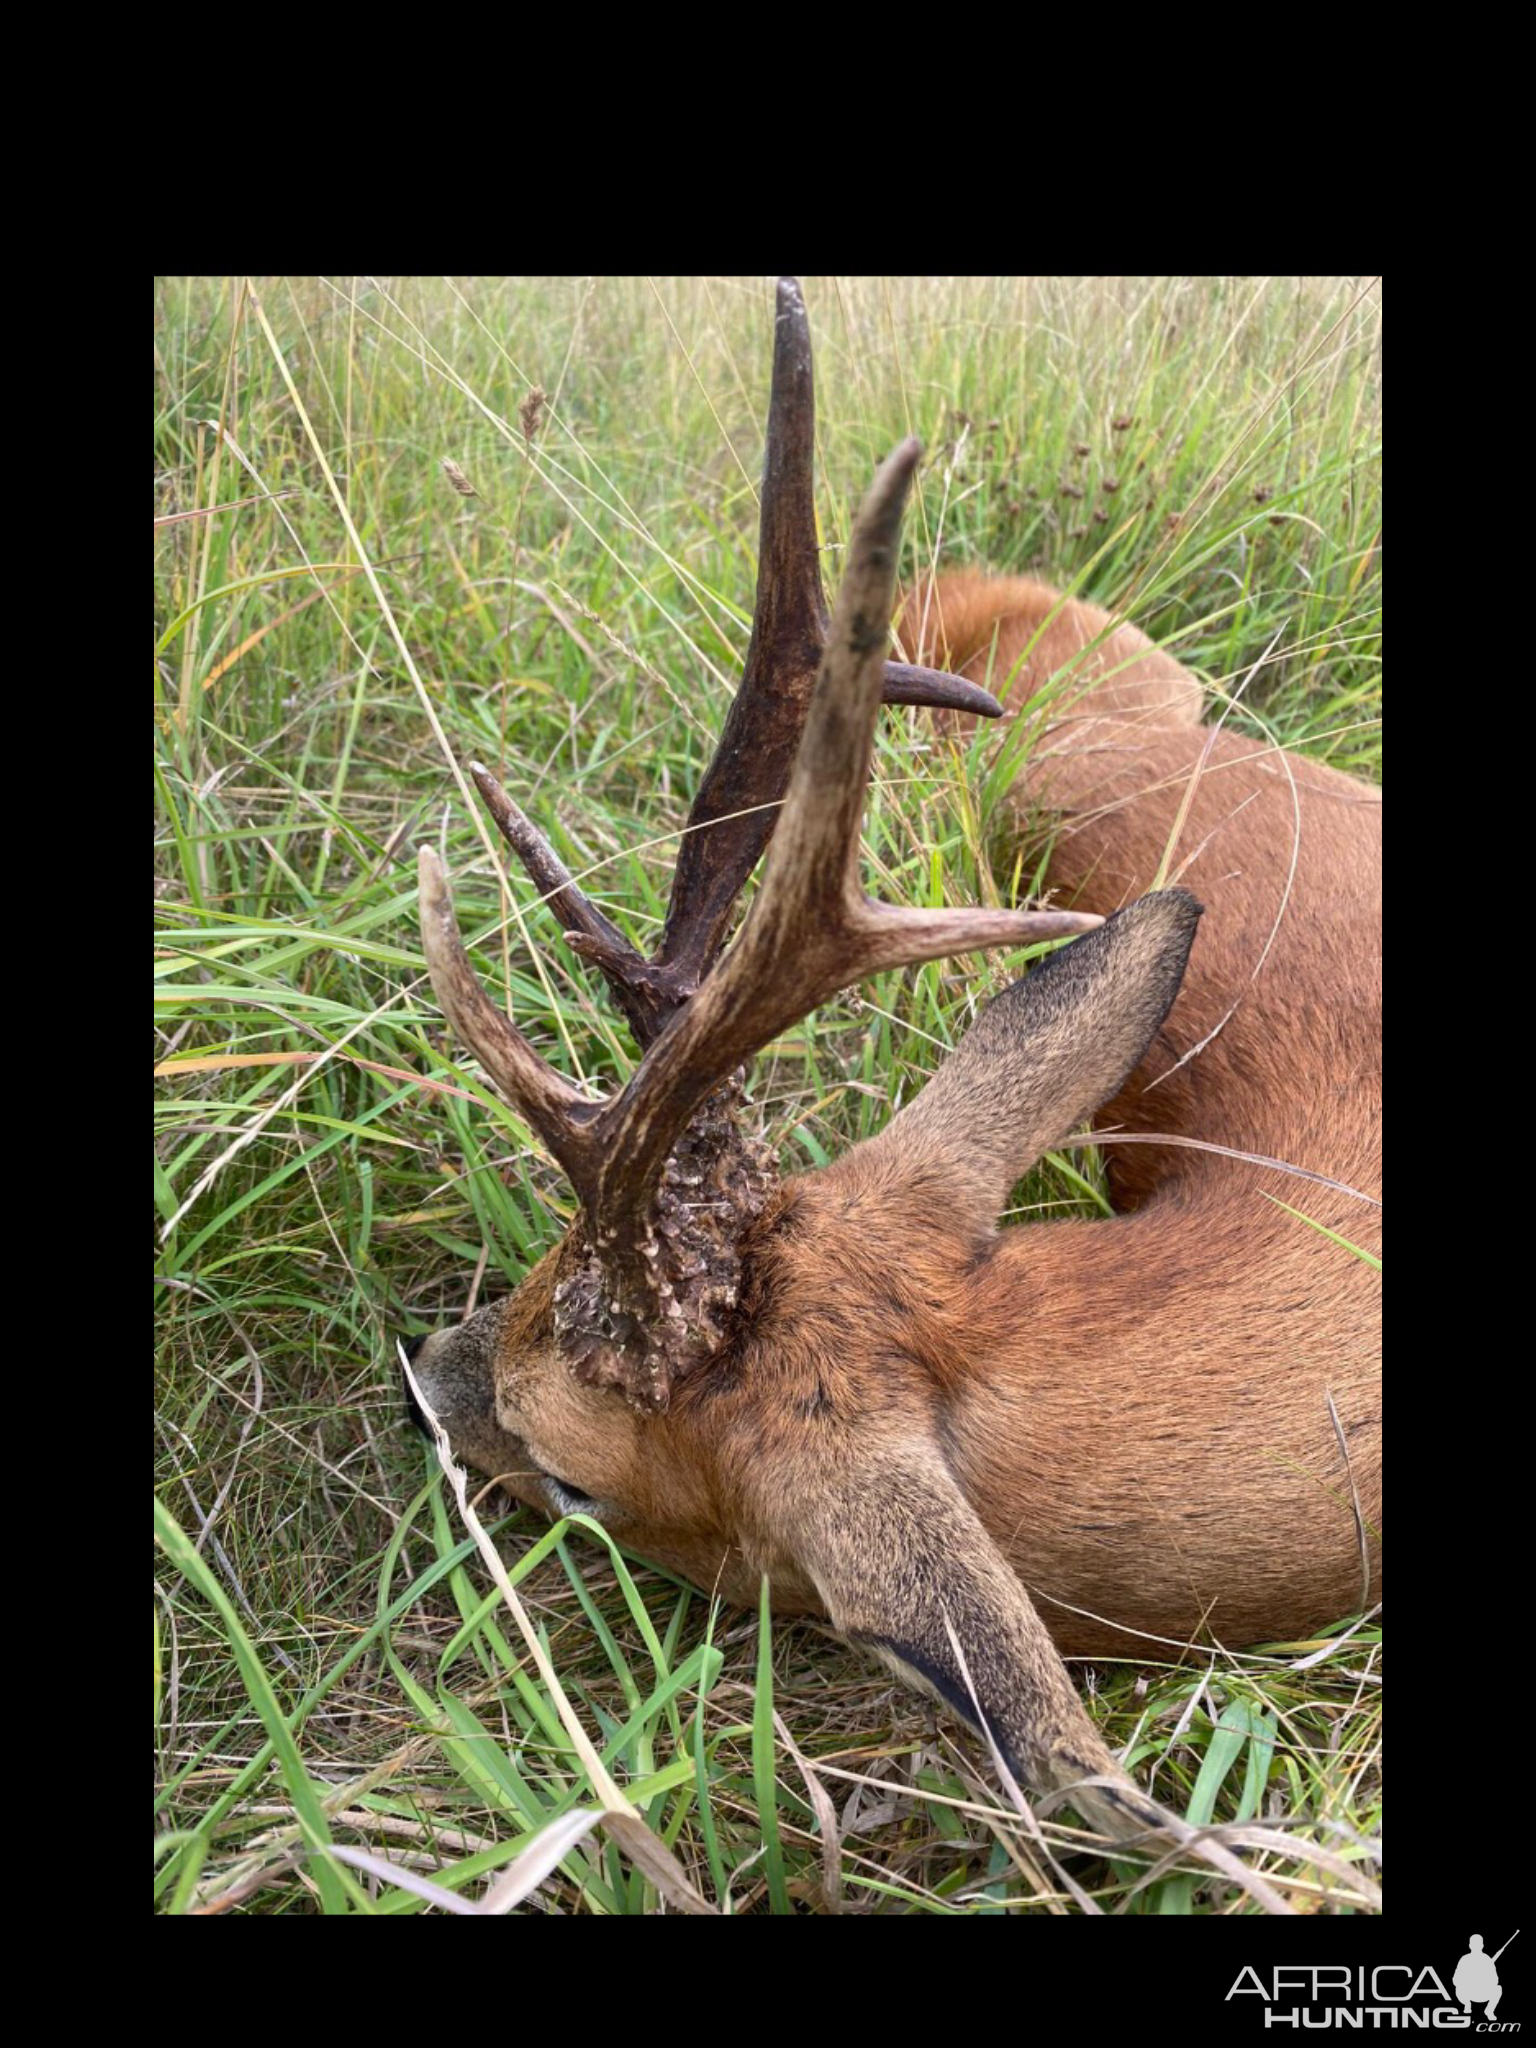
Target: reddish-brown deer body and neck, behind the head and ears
pixel 1144 1418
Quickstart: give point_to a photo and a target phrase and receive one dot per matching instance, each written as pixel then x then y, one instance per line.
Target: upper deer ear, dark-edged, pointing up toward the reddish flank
pixel 1046 1054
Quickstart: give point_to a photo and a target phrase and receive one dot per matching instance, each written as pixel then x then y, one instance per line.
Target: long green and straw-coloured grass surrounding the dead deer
pixel 347 1717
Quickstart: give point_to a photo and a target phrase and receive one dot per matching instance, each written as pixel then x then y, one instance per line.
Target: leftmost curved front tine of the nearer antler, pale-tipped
pixel 558 1113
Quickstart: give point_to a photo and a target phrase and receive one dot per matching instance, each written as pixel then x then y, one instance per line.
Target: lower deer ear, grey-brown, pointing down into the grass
pixel 906 1570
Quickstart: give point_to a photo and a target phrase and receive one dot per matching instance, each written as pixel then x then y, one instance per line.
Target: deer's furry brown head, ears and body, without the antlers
pixel 1168 1424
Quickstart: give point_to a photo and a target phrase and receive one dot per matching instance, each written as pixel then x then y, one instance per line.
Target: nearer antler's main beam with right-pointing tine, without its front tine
pixel 812 929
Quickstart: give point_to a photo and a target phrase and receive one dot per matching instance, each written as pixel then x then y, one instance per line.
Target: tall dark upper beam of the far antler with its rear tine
pixel 736 808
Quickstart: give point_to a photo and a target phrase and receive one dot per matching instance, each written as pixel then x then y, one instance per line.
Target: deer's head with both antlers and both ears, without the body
pixel 749 1377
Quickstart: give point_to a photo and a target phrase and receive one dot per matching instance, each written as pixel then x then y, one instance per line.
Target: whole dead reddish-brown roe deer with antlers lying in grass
pixel 972 1449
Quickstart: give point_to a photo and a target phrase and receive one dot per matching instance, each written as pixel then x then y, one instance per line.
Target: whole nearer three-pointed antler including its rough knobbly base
pixel 663 1265
